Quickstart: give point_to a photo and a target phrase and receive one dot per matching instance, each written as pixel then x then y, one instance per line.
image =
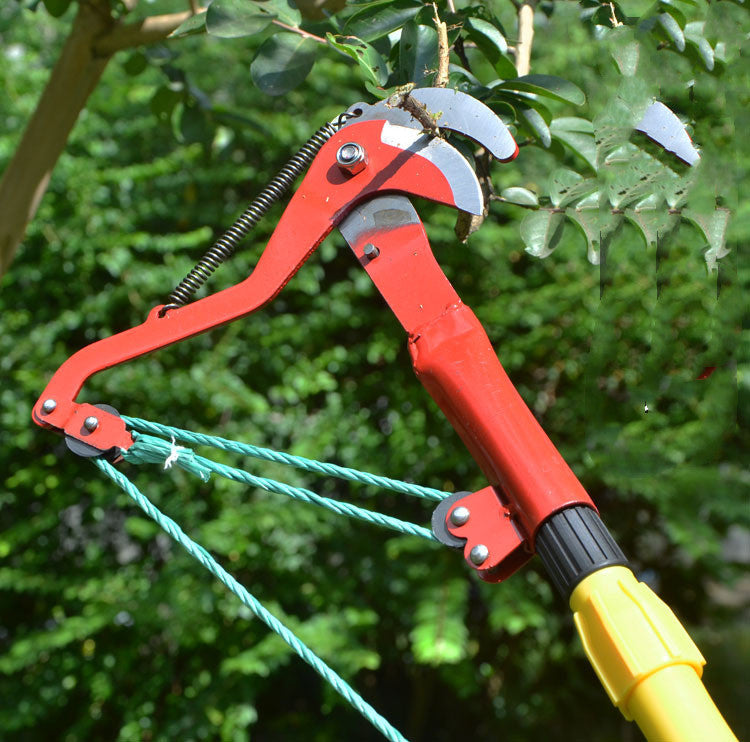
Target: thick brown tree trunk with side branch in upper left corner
pixel 94 38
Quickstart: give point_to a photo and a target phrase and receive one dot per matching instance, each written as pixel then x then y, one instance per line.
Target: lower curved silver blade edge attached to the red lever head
pixel 467 193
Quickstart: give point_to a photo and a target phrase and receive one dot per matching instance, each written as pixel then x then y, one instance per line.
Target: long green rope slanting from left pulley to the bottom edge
pixel 201 555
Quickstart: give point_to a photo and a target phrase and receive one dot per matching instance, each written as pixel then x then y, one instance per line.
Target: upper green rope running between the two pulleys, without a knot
pixel 319 467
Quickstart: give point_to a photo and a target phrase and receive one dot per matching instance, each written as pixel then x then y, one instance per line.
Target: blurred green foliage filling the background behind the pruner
pixel 108 631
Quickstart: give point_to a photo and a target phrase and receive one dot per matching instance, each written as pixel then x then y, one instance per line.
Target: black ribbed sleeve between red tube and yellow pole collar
pixel 574 543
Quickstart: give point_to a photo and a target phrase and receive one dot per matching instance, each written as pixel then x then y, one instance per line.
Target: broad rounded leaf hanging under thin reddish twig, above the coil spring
pixel 282 62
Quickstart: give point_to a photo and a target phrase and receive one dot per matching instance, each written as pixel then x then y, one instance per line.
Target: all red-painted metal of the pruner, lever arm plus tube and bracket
pixel 451 354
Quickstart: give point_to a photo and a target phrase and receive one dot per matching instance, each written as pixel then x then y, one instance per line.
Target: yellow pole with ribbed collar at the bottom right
pixel 645 659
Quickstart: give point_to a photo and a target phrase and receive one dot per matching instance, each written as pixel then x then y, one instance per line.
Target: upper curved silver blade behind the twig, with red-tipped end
pixel 451 110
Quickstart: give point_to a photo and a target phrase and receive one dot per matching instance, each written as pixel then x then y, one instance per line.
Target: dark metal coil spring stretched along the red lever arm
pixel 225 245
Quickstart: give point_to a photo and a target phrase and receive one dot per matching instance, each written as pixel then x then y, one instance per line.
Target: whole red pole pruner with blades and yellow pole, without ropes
pixel 358 181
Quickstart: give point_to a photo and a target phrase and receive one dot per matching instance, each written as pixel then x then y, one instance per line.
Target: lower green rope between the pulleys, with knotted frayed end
pixel 148 449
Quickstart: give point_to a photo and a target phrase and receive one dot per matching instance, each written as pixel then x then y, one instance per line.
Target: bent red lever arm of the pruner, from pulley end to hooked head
pixel 321 201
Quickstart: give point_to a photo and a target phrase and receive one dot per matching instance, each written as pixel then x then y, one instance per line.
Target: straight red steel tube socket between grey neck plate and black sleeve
pixel 455 361
